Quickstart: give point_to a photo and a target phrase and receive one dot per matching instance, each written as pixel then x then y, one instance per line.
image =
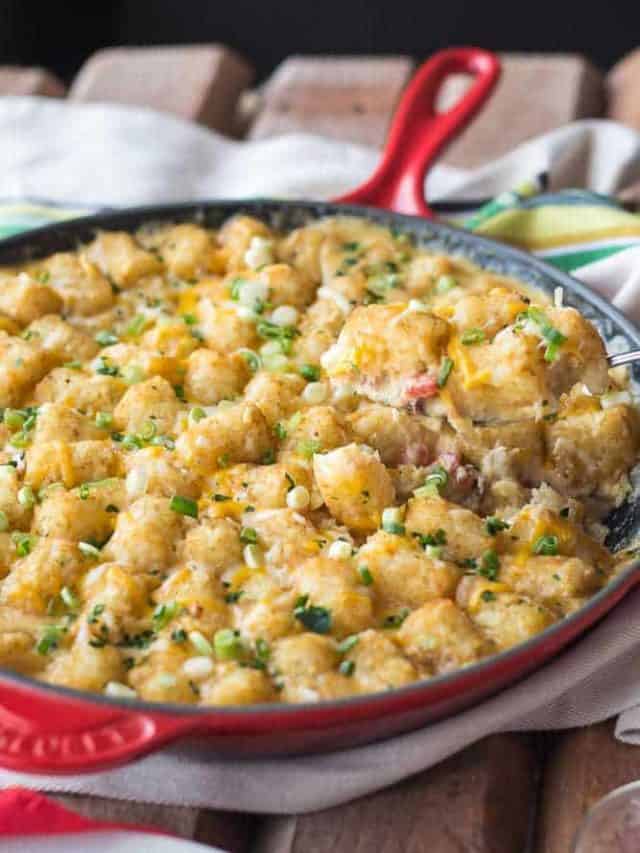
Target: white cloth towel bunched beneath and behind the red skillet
pixel 93 155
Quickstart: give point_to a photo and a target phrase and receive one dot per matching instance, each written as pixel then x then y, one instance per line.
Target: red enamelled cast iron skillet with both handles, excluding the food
pixel 51 729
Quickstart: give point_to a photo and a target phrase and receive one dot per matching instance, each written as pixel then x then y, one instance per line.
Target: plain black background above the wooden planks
pixel 59 34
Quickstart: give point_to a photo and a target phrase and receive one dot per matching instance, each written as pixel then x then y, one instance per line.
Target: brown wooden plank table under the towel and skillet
pixel 508 793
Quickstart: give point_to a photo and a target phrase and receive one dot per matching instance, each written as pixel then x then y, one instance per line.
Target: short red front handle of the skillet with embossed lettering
pixel 50 733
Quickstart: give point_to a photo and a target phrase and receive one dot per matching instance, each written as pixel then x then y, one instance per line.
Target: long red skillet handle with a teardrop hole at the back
pixel 418 133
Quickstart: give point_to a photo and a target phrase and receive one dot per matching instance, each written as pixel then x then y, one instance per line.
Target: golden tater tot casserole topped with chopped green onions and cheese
pixel 241 466
